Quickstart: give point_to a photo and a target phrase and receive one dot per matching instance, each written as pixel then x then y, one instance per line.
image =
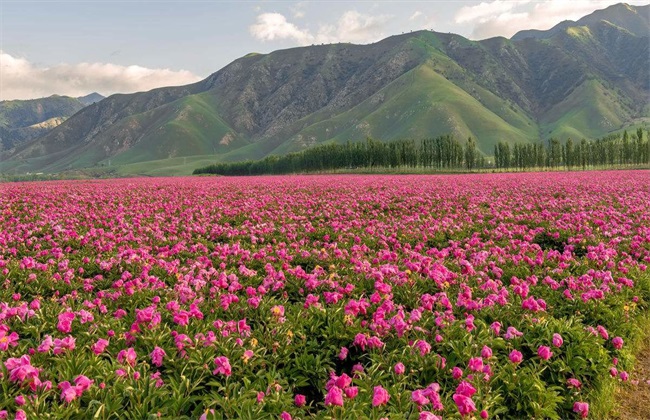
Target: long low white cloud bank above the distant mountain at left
pixel 21 79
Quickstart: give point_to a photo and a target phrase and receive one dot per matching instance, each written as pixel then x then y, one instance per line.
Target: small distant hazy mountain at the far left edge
pixel 23 120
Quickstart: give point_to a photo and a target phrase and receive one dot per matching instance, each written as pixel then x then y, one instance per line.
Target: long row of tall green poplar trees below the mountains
pixel 445 153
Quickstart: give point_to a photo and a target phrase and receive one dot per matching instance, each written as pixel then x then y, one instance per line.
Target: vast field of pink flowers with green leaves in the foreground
pixel 418 297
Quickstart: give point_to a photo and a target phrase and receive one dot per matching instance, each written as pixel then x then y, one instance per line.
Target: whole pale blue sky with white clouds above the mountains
pixel 119 46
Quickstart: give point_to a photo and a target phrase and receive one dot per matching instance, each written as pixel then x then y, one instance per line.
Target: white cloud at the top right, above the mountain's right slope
pixel 505 18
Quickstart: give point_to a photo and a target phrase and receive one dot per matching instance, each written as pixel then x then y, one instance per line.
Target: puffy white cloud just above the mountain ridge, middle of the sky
pixel 352 26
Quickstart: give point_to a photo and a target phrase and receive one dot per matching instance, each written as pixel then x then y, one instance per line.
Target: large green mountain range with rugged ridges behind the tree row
pixel 579 79
